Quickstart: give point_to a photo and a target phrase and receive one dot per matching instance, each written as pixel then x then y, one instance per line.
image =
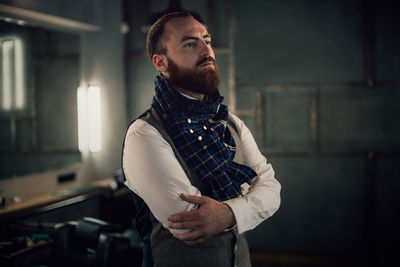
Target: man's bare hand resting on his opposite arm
pixel 212 217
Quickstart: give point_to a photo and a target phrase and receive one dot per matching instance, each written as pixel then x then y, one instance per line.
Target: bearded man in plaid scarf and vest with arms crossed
pixel 198 178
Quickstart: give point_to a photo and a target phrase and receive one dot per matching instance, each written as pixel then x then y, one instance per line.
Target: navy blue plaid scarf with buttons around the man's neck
pixel 200 133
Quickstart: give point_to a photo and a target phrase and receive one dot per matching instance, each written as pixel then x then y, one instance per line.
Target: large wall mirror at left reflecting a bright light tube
pixel 39 75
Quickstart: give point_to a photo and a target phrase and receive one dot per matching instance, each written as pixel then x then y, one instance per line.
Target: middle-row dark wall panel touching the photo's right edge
pixel 360 118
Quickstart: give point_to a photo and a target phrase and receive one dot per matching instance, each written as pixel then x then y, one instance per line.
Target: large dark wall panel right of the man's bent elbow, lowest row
pixel 322 209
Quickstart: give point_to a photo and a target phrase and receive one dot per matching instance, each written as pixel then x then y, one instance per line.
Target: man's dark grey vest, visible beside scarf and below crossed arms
pixel 225 249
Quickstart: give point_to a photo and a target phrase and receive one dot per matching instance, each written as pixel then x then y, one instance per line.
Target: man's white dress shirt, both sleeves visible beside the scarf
pixel 153 173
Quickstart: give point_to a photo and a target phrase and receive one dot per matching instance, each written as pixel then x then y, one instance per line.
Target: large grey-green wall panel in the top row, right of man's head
pixel 297 42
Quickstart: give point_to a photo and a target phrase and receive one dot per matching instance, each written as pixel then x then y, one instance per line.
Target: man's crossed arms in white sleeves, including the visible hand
pixel 178 205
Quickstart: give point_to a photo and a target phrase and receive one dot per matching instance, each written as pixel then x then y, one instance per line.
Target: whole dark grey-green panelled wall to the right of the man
pixel 323 80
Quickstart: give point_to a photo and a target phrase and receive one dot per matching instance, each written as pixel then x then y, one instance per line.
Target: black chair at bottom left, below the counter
pixel 92 242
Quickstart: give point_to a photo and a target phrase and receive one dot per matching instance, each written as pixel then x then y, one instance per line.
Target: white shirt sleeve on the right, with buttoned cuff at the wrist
pixel 262 199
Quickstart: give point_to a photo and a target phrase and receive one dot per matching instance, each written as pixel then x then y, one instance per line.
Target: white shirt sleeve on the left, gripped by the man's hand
pixel 153 172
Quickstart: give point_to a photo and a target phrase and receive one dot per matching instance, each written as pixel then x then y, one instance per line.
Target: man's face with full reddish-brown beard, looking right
pixel 190 57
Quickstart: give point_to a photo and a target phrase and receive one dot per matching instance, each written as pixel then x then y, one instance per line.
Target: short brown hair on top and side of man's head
pixel 153 42
